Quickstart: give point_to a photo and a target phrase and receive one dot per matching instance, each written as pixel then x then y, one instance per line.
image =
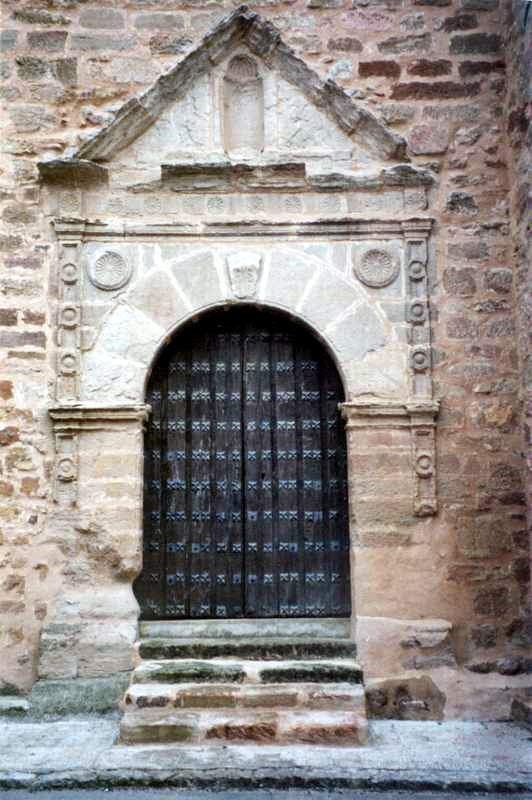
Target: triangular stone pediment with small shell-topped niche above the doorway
pixel 184 115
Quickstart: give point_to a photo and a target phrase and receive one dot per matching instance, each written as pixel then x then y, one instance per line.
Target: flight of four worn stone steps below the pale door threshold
pixel 262 690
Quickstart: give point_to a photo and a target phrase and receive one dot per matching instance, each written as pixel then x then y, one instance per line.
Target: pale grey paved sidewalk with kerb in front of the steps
pixel 464 756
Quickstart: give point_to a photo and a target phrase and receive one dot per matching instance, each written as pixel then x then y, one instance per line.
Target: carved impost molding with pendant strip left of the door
pixel 68 421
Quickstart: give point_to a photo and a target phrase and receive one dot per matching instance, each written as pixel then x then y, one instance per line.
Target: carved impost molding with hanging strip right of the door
pixel 419 416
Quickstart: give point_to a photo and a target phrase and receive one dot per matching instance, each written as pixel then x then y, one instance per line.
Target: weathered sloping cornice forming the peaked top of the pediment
pixel 244 28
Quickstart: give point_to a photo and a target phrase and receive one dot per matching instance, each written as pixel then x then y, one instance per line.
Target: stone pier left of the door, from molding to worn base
pixel 86 647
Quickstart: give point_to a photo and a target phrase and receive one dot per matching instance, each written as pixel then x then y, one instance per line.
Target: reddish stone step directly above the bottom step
pixel 167 697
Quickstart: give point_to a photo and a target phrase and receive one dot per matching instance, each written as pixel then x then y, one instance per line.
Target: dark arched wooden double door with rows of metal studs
pixel 245 487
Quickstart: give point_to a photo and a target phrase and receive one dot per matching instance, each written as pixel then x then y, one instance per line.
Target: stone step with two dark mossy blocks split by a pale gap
pixel 246 671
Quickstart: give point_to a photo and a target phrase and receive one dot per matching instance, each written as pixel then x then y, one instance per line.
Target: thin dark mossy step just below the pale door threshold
pixel 264 649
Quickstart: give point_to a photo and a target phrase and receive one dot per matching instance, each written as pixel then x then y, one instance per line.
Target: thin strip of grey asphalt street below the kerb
pixel 184 794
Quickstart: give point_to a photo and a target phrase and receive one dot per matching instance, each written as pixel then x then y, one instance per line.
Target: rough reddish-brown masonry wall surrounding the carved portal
pixel 435 72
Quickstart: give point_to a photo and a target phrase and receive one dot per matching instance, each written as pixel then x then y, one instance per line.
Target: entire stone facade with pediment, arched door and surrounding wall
pixel 347 176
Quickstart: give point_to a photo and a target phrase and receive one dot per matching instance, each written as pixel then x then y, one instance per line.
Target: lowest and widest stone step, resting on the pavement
pixel 240 727
